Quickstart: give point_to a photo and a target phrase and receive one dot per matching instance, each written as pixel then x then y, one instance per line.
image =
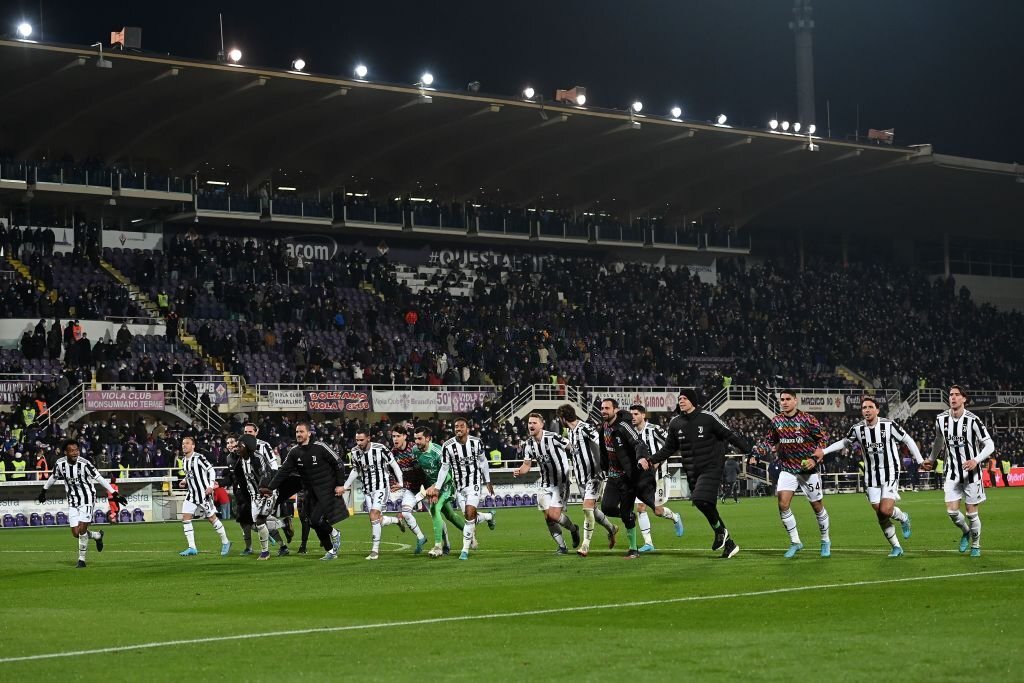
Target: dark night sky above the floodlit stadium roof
pixel 946 72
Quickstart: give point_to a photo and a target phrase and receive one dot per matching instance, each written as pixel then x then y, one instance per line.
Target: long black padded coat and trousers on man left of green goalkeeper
pixel 321 473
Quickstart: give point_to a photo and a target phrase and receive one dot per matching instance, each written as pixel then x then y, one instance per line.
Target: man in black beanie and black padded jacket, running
pixel 701 440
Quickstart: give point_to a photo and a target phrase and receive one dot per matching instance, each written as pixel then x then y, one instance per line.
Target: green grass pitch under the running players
pixel 518 612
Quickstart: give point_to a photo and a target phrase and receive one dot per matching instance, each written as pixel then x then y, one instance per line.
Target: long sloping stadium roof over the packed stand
pixel 189 116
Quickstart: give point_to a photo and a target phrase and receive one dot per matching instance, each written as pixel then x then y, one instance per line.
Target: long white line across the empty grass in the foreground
pixel 474 618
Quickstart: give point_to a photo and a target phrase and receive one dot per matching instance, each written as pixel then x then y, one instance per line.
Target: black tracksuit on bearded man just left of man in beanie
pixel 622 448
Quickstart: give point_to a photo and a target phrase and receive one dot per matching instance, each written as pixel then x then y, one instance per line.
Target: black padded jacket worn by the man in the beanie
pixel 701 440
